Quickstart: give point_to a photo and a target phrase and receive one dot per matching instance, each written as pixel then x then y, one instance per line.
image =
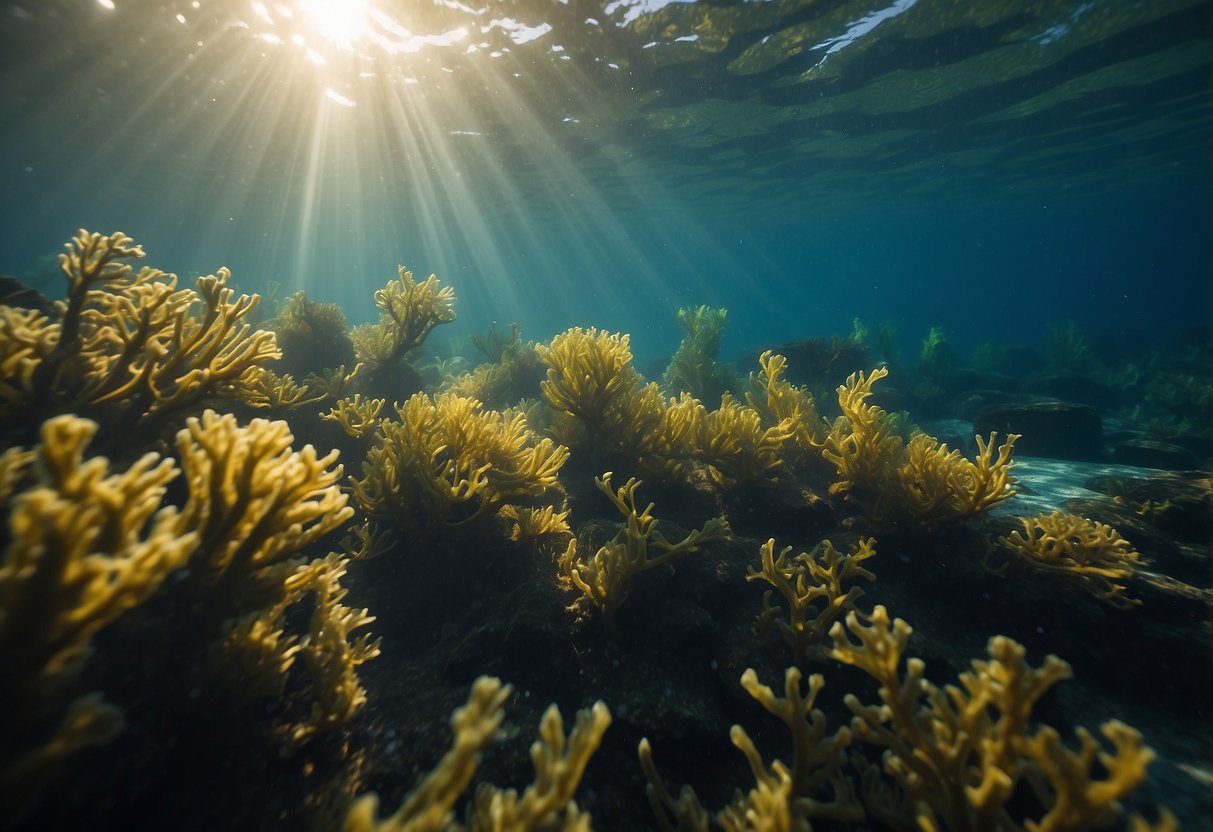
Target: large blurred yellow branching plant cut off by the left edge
pixel 86 545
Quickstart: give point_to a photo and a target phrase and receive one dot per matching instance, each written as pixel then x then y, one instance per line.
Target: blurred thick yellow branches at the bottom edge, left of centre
pixel 560 763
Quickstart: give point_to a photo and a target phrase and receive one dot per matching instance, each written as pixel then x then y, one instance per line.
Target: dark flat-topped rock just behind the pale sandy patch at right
pixel 1057 430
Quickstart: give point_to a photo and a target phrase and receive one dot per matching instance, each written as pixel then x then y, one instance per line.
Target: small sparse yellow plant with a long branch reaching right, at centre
pixel 605 578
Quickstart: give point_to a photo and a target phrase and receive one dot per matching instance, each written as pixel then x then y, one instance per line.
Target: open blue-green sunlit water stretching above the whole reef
pixel 990 168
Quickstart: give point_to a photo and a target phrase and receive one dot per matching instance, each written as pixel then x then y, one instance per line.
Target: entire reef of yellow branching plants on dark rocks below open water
pixel 218 625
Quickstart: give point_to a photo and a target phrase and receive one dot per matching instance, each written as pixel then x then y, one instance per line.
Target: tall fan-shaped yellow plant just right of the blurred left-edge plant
pixel 259 508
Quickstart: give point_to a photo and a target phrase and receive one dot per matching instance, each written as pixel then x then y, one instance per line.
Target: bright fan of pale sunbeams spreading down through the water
pixel 423 141
